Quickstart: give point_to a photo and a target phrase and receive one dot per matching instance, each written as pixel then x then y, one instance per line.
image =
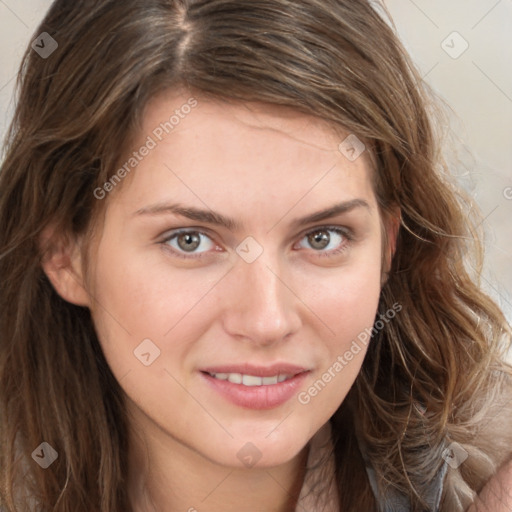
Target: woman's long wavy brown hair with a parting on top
pixel 433 375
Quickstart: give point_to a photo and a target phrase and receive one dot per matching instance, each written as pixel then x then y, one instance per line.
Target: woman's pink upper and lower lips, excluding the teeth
pixel 257 397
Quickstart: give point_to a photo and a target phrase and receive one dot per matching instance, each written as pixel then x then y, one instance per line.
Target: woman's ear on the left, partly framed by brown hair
pixel 62 263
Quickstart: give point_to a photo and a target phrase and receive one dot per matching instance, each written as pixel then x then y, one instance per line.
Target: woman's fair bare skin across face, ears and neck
pixel 265 167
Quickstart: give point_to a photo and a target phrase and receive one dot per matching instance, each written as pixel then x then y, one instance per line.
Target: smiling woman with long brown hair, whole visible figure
pixel 234 273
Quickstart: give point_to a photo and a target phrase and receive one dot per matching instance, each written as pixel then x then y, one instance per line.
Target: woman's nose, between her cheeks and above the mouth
pixel 261 306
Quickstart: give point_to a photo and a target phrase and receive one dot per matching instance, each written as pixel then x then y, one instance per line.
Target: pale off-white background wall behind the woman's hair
pixel 477 84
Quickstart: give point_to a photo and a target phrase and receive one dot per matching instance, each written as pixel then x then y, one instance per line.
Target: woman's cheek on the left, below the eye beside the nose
pixel 137 299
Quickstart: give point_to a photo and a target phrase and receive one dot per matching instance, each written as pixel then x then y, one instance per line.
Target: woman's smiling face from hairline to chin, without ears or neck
pixel 242 246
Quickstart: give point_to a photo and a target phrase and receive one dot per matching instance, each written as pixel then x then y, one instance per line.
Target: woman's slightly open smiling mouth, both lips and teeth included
pixel 254 387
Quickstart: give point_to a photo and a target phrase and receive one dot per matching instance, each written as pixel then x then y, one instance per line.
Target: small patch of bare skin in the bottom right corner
pixel 497 494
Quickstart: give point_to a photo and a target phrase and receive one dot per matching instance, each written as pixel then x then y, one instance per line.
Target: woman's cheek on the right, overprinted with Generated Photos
pixel 346 301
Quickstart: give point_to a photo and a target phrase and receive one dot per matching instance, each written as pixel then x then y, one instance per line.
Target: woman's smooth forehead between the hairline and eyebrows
pixel 217 151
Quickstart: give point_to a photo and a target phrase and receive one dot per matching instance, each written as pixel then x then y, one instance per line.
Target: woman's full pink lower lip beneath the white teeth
pixel 257 397
